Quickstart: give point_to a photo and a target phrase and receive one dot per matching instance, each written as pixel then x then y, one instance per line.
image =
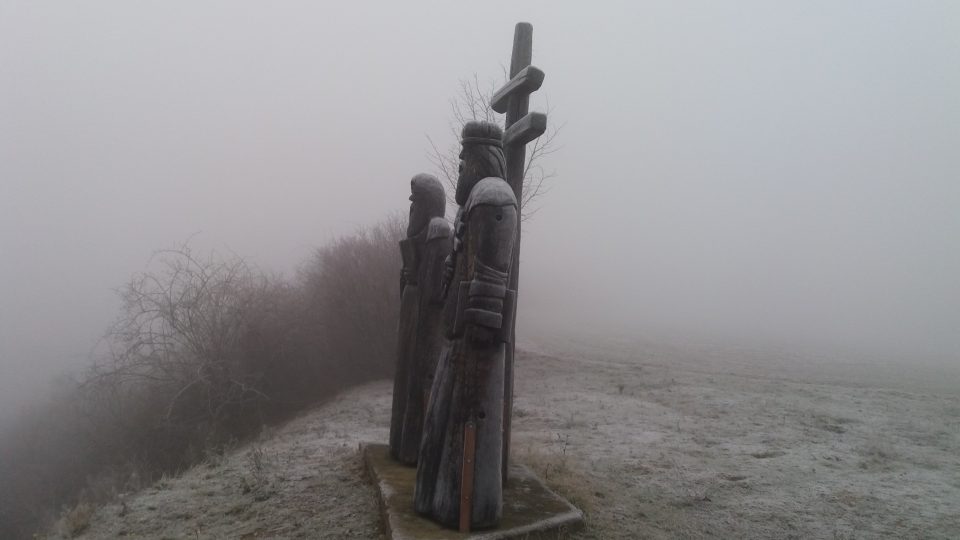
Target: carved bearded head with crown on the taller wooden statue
pixel 481 155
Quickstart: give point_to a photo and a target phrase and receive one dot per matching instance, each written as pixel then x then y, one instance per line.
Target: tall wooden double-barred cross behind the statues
pixel 520 128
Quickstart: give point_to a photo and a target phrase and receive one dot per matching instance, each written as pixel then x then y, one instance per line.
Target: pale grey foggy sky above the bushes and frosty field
pixel 779 173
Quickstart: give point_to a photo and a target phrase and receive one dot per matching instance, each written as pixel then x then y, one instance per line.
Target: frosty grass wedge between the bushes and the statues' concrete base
pixel 301 480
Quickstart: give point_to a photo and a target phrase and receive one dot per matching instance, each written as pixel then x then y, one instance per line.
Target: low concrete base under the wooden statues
pixel 530 509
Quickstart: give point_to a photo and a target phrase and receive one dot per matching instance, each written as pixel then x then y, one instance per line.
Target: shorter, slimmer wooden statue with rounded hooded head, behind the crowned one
pixel 421 305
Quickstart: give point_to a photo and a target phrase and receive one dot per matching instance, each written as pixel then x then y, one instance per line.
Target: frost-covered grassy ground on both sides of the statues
pixel 651 443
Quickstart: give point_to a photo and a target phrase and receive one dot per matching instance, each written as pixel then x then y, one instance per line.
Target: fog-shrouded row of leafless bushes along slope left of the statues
pixel 206 351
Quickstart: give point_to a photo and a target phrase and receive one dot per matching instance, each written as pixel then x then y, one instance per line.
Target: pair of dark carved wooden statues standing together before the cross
pixel 455 323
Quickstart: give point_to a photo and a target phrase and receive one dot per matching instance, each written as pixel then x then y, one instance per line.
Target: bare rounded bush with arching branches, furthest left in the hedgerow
pixel 176 353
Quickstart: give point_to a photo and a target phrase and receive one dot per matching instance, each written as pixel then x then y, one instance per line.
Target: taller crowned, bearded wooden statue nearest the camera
pixel 459 482
